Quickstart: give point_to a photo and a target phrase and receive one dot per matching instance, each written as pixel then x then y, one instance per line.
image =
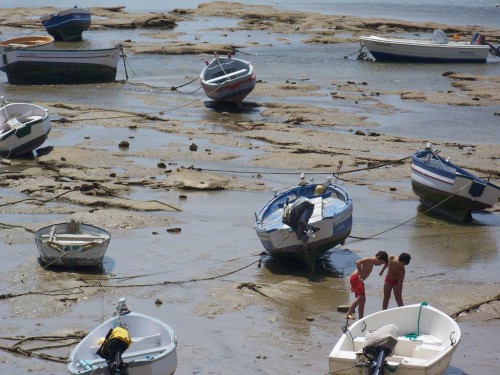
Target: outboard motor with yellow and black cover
pixel 116 342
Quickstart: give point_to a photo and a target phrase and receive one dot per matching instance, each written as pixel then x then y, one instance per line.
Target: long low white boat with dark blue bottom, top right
pixel 424 50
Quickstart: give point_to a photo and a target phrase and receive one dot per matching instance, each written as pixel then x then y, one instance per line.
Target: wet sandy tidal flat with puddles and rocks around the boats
pixel 313 111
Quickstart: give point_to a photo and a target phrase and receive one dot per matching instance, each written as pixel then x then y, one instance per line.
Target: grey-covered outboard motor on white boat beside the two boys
pixel 380 345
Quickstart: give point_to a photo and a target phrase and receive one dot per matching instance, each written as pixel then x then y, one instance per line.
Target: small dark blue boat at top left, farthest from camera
pixel 67 25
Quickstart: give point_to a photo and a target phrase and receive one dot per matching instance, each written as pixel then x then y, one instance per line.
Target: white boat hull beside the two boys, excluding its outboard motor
pixel 429 354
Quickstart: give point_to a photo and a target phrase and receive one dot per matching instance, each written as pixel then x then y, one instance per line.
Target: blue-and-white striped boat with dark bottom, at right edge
pixel 448 189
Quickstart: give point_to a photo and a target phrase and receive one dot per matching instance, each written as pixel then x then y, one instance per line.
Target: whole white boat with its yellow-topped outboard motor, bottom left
pixel 131 343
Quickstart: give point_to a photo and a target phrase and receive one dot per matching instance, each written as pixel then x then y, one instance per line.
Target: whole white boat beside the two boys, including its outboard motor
pixel 409 340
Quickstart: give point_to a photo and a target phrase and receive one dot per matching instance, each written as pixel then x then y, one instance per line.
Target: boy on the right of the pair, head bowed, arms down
pixel 394 278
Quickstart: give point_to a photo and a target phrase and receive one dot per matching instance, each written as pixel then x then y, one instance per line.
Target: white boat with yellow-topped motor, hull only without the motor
pixel 152 352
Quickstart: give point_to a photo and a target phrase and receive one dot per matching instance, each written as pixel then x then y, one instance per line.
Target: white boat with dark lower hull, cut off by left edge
pixel 23 128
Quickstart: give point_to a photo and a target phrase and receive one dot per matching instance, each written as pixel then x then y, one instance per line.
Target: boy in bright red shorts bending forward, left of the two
pixel 363 269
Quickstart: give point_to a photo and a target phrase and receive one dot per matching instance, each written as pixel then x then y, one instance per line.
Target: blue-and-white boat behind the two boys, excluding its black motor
pixel 328 224
